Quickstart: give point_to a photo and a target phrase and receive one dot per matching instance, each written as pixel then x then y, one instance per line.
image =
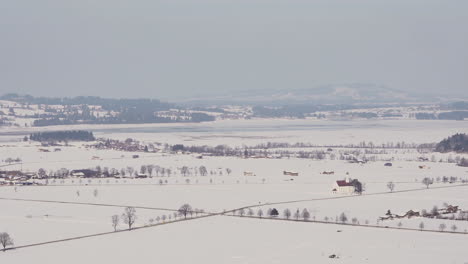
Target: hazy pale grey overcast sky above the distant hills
pixel 166 48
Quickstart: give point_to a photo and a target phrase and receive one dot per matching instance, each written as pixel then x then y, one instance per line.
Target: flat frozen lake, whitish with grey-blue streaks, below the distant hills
pixel 238 132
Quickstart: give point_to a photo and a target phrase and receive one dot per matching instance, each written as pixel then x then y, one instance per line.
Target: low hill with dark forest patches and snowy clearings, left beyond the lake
pixel 97 110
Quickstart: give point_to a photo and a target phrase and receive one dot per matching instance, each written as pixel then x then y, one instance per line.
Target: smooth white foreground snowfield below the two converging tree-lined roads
pixel 227 240
